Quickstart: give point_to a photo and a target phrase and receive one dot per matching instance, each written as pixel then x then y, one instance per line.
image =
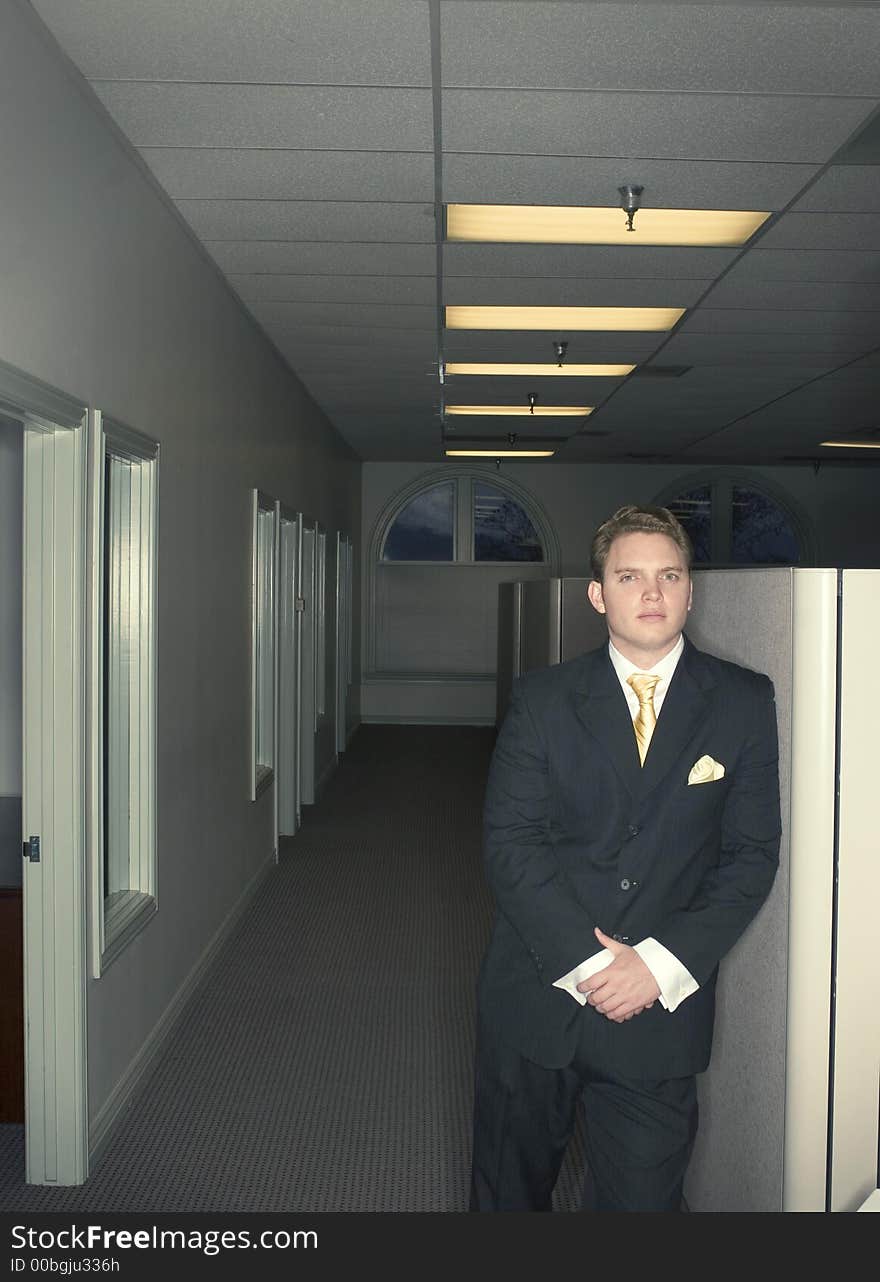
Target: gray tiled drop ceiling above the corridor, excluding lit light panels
pixel 332 103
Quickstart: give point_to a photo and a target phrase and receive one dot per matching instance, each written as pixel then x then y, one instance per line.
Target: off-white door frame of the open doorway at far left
pixel 55 775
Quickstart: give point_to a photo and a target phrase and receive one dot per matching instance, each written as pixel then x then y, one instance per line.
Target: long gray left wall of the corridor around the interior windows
pixel 107 298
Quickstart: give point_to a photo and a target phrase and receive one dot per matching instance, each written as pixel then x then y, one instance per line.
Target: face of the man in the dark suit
pixel 646 595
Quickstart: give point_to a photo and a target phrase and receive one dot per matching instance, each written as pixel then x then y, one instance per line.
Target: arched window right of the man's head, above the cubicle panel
pixel 733 521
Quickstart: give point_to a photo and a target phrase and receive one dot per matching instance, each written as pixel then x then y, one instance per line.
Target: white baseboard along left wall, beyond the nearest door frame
pixel 124 1093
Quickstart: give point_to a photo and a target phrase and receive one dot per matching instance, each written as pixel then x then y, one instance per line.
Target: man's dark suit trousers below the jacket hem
pixel 639 1134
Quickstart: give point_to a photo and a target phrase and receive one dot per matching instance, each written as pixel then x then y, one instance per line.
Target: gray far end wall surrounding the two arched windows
pixel 836 504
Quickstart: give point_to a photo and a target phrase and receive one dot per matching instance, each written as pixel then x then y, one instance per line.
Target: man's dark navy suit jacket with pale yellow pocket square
pixel 578 835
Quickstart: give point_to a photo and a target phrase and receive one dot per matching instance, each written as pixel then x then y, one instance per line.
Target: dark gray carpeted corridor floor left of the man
pixel 325 1062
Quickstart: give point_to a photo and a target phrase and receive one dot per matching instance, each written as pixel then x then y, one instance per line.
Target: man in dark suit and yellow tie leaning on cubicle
pixel 633 831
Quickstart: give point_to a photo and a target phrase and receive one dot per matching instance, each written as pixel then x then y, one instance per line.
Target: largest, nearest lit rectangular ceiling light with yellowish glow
pixel 574 225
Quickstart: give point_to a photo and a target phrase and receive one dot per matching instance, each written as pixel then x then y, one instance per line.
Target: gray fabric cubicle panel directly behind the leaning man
pixel 738 1166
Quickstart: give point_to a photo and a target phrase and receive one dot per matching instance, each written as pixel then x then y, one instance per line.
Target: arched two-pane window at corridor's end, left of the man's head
pixel 464 520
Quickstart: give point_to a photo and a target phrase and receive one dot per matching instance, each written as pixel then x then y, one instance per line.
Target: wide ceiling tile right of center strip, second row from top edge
pixel 679 126
